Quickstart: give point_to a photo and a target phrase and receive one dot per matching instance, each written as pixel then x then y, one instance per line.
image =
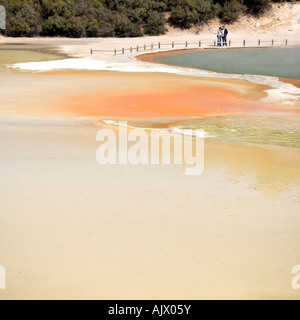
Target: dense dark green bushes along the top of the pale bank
pixel 118 18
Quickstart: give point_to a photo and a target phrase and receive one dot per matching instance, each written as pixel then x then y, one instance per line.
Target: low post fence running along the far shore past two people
pixel 189 45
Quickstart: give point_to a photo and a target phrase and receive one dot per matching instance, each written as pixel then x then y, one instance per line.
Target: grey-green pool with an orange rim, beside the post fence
pixel 279 62
